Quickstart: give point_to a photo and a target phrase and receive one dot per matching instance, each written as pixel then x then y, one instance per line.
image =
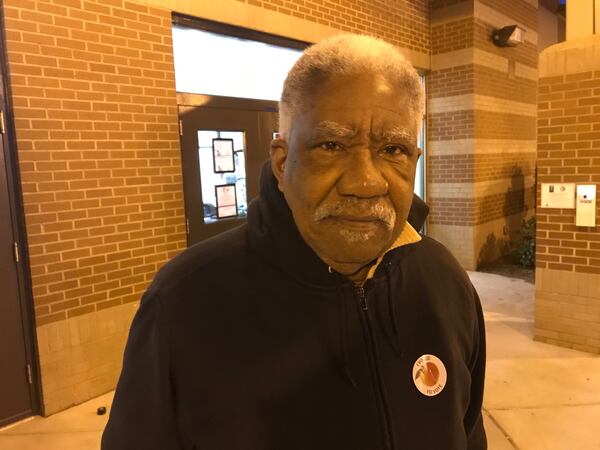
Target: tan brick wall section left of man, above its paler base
pixel 96 123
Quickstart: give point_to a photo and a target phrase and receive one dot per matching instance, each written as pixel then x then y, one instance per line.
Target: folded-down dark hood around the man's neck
pixel 273 234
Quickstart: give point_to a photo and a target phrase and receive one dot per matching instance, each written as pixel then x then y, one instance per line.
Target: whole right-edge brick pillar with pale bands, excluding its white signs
pixel 567 304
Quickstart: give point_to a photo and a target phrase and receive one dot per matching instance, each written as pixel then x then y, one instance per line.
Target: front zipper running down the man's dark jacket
pixel 372 350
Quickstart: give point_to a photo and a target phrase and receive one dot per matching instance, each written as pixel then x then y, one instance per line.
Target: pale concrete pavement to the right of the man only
pixel 537 396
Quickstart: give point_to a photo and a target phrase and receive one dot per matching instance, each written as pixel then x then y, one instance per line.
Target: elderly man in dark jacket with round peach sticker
pixel 326 322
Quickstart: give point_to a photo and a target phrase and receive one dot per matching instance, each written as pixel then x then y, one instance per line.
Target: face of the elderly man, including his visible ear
pixel 347 171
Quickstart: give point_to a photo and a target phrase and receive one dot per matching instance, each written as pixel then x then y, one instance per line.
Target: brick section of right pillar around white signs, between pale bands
pixel 569 152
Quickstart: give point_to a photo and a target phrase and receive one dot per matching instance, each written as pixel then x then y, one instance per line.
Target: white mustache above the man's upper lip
pixel 354 207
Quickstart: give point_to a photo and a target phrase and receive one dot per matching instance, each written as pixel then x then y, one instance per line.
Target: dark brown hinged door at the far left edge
pixel 18 394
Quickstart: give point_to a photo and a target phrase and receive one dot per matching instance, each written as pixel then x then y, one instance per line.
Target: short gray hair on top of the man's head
pixel 346 55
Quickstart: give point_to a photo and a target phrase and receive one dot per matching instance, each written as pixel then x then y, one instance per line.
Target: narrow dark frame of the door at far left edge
pixel 15 198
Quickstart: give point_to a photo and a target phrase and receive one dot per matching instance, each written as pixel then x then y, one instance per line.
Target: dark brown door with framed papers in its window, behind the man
pixel 216 195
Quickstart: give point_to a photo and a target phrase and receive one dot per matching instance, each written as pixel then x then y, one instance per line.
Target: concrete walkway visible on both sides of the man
pixel 538 397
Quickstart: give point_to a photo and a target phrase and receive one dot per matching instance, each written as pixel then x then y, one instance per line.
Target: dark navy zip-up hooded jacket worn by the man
pixel 248 342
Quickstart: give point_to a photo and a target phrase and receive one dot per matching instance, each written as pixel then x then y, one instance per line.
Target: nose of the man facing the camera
pixel 362 178
